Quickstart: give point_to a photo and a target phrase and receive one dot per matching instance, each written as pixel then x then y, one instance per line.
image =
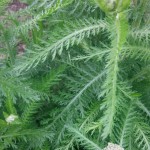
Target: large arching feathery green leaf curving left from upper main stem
pixel 78 30
